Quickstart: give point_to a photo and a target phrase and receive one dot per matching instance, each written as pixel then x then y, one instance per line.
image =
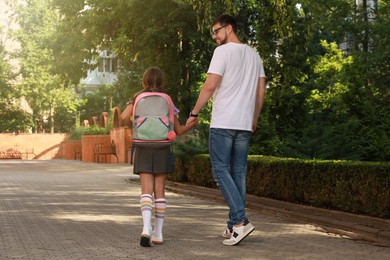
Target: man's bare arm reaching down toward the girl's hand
pixel 210 85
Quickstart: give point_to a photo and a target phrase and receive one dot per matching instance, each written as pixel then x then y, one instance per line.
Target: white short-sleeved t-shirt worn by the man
pixel 234 100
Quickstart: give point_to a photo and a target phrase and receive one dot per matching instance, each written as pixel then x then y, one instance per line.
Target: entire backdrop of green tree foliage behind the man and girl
pixel 322 102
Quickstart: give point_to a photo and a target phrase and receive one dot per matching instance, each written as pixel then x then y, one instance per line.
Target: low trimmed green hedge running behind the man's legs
pixel 357 187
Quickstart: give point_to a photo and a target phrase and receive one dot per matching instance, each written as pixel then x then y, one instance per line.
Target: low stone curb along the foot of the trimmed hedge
pixel 357 227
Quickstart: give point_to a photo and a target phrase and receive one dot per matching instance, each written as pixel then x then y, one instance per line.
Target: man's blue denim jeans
pixel 229 159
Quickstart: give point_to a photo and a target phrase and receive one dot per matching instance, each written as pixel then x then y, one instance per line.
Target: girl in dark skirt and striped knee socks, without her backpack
pixel 152 164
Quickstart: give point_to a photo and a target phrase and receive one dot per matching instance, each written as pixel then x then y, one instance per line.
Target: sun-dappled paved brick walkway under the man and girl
pixel 72 210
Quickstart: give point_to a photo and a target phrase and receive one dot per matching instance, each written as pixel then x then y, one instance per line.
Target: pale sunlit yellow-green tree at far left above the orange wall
pixel 40 85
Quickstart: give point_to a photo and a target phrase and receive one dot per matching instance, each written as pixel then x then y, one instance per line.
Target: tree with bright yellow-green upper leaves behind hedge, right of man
pixel 329 131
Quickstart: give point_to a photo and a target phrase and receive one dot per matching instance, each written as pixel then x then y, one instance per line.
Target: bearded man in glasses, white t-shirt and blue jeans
pixel 236 80
